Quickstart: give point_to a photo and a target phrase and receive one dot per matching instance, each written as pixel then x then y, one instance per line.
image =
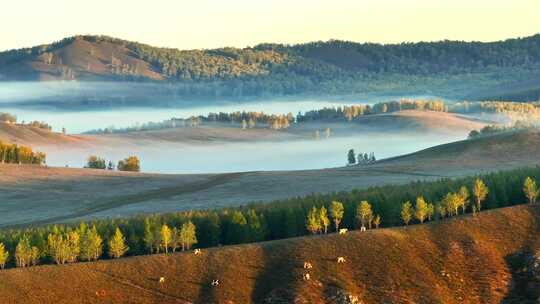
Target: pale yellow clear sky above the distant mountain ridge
pixel 188 24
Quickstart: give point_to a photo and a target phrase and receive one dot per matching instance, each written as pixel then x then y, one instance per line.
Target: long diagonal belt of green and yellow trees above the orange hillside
pixel 314 213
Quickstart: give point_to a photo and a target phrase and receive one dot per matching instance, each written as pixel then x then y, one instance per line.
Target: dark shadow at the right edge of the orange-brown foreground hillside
pixel 523 287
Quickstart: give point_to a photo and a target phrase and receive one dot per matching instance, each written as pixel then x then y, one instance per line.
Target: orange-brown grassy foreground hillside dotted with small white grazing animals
pixel 479 259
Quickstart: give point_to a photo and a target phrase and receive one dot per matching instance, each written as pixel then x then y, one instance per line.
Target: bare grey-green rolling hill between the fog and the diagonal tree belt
pixel 64 194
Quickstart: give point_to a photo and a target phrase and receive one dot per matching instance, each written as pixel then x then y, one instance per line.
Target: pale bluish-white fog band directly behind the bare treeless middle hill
pixel 254 156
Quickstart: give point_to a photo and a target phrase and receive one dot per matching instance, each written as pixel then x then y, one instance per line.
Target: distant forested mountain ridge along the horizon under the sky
pixel 332 67
